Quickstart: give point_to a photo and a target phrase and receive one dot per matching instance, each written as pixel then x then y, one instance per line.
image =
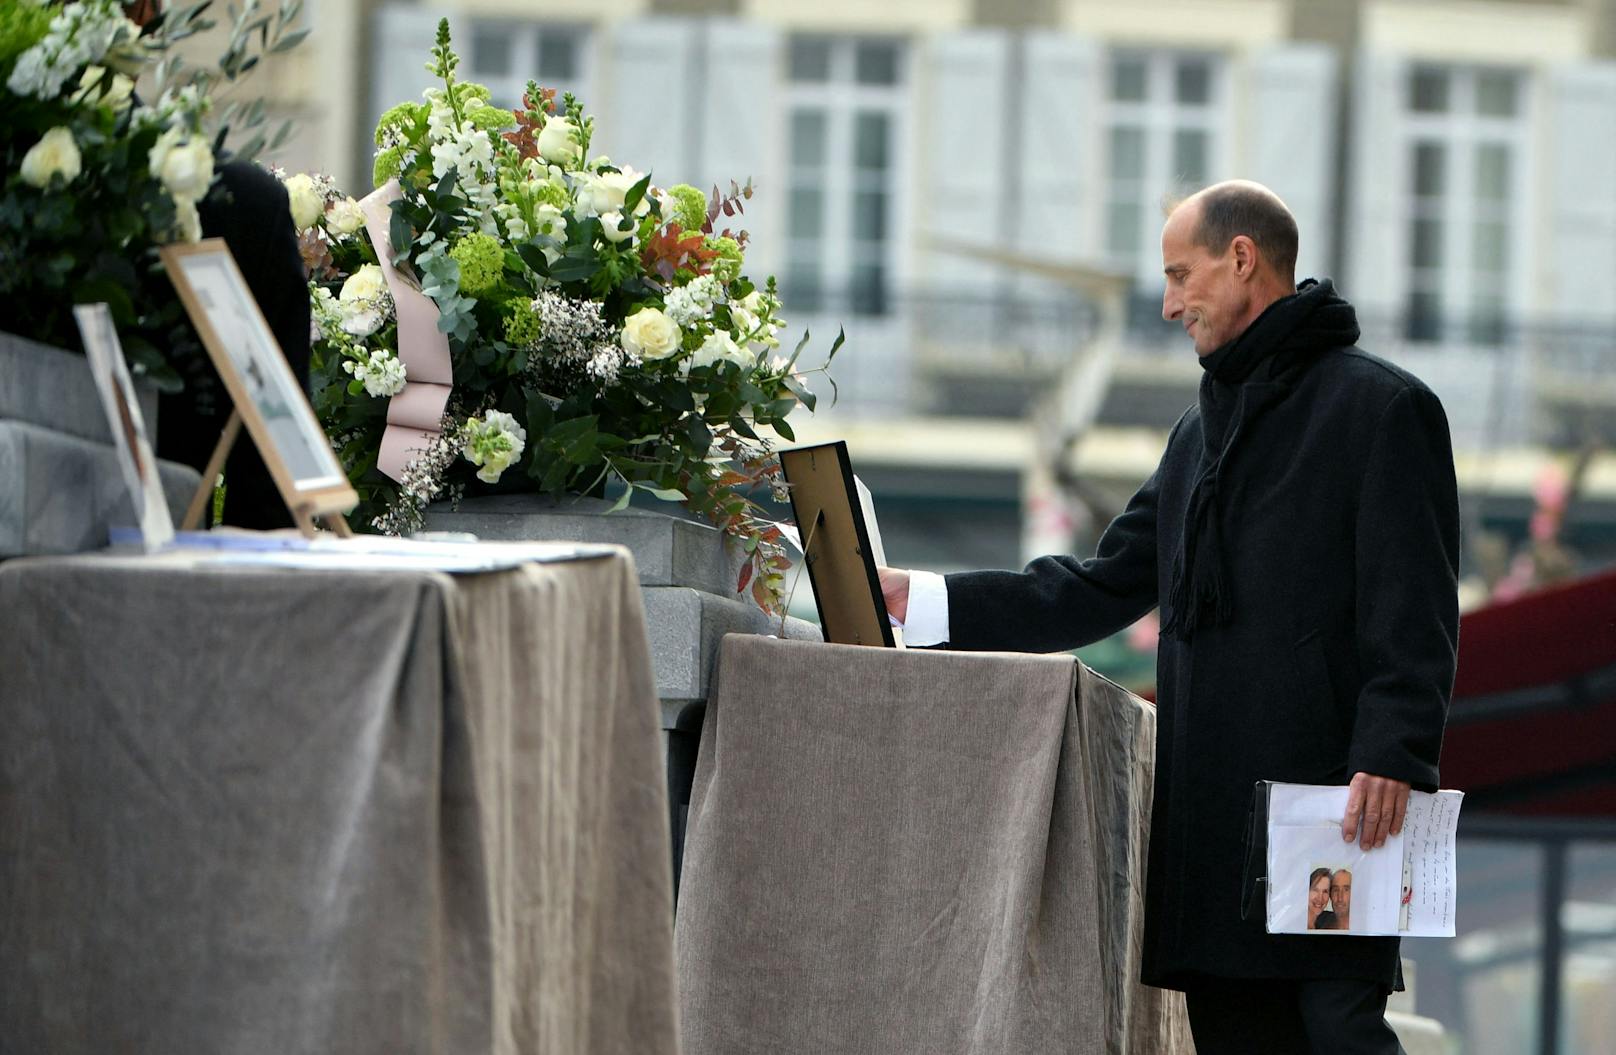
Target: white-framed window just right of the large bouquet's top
pixel 846 137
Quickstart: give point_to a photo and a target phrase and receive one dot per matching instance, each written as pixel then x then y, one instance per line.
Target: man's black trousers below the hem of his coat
pixel 1279 1017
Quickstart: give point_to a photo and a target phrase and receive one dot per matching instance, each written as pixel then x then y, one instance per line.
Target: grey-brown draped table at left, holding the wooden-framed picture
pixel 250 810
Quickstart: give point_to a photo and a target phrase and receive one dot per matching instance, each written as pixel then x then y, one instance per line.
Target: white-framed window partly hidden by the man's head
pixel 1164 119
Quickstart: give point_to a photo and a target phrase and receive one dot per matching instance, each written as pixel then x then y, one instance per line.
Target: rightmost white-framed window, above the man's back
pixel 1465 140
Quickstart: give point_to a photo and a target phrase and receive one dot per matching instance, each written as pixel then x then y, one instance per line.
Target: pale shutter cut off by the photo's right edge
pixel 1581 253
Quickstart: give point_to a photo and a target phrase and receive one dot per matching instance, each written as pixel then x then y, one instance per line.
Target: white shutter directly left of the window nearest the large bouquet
pixel 741 132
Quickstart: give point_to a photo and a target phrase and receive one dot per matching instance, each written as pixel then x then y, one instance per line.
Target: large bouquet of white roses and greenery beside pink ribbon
pixel 600 327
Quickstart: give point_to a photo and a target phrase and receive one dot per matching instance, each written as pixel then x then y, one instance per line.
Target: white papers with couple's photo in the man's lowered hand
pixel 1321 885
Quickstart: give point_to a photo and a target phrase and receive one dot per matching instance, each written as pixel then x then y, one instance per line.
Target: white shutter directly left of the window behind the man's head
pixel 1061 145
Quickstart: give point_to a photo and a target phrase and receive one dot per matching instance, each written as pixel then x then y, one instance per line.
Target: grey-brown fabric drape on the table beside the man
pixel 917 852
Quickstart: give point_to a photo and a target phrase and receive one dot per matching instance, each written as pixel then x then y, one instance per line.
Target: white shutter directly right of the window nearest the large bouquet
pixel 962 149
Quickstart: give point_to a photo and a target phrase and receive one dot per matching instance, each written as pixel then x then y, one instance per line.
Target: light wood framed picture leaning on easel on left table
pixel 267 395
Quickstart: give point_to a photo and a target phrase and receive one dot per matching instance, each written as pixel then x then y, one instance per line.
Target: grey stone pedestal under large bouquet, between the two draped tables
pixel 688 578
